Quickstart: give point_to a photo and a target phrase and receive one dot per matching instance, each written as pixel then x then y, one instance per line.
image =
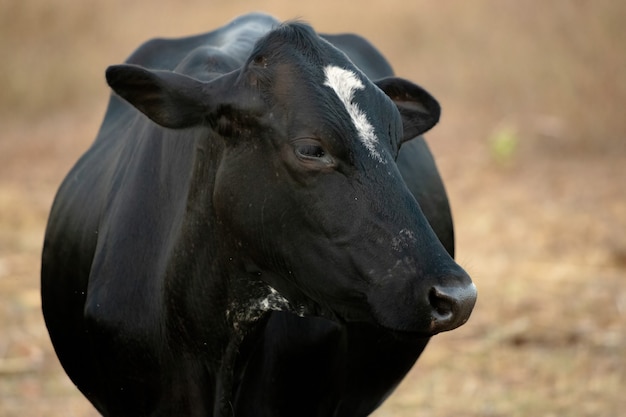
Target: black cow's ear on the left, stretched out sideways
pixel 169 99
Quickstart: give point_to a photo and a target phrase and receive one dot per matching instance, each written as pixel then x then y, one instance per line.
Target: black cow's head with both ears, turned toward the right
pixel 307 187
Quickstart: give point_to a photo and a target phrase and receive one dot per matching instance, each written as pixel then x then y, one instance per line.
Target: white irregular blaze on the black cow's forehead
pixel 345 83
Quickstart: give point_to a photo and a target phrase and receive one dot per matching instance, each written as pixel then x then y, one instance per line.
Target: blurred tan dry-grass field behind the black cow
pixel 531 145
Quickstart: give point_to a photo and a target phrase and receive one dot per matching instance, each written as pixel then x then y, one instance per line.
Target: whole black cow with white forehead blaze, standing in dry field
pixel 253 249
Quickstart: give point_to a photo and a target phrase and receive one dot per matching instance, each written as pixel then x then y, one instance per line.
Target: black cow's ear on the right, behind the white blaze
pixel 418 109
